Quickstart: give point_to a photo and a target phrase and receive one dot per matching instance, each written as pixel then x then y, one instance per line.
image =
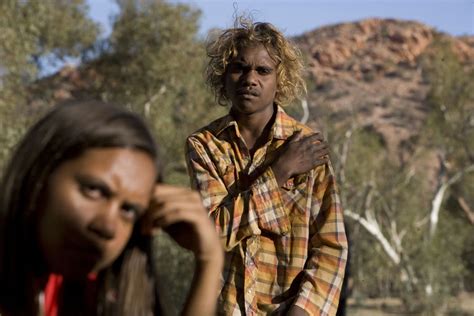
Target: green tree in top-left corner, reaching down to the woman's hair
pixel 32 34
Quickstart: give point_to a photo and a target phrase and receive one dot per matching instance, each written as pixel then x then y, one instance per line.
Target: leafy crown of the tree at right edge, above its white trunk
pixel 450 125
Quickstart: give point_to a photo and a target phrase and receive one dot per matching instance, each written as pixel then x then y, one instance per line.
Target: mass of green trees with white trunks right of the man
pixel 397 200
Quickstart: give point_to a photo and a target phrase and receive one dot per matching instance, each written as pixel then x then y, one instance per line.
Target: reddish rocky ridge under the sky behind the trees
pixel 370 72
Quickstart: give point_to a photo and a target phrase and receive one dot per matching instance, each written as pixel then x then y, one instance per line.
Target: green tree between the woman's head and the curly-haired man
pixel 153 63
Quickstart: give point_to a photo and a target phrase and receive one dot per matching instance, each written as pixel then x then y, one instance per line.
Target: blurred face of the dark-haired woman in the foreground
pixel 90 207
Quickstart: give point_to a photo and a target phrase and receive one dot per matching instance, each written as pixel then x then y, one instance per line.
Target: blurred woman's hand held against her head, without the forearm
pixel 180 212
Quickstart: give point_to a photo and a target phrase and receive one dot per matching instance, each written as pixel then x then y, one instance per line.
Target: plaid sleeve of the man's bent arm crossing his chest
pixel 237 214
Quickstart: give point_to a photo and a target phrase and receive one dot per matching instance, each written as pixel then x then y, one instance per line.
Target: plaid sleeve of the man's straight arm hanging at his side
pixel 324 270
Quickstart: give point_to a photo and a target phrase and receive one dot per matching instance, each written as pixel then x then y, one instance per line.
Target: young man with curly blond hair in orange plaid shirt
pixel 267 182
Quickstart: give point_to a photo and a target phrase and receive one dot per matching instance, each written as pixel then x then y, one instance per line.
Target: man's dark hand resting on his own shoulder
pixel 300 154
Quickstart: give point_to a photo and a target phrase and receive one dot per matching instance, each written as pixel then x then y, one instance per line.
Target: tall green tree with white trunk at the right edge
pixel 450 133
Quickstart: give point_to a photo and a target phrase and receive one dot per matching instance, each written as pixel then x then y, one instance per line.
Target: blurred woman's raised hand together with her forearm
pixel 180 212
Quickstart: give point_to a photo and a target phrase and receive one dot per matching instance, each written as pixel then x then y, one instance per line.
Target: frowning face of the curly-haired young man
pixel 251 80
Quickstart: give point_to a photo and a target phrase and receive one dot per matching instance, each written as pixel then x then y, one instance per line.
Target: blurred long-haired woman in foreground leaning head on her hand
pixel 79 201
